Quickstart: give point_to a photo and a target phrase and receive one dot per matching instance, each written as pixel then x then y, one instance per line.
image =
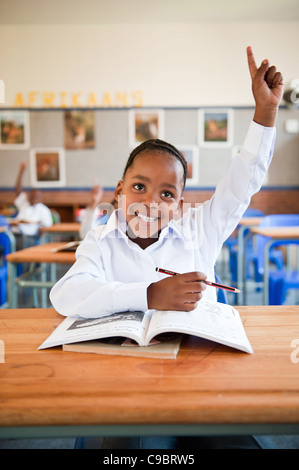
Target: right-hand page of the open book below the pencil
pixel 211 320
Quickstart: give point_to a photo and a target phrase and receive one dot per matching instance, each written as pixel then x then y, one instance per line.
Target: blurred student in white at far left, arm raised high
pixel 32 213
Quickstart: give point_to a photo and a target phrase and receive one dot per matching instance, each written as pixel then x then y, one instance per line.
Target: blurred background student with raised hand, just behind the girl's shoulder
pixel 95 215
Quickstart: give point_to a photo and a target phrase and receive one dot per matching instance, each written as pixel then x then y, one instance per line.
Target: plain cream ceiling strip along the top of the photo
pixel 146 11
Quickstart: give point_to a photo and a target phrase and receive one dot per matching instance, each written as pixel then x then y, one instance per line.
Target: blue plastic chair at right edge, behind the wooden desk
pixel 281 279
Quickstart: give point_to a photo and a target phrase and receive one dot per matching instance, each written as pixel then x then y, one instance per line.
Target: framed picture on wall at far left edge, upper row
pixel 14 130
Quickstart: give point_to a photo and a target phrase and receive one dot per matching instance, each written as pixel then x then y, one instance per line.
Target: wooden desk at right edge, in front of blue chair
pixel 275 234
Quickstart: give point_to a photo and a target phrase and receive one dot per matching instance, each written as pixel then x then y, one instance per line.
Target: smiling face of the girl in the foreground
pixel 151 195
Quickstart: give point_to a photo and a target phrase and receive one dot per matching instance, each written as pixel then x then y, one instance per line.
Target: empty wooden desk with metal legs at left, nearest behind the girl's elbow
pixel 42 254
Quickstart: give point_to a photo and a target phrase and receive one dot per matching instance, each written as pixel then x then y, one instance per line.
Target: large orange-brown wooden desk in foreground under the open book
pixel 208 389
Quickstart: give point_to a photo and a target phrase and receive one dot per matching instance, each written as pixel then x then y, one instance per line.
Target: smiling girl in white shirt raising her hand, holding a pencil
pixel 115 265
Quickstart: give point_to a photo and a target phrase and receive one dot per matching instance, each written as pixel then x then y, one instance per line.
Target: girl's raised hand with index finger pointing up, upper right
pixel 267 88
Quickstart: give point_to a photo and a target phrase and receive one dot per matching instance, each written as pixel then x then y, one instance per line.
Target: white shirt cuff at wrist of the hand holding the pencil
pixel 131 296
